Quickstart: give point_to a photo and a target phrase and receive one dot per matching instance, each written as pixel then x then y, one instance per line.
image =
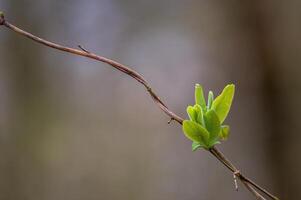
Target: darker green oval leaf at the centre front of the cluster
pixel 212 124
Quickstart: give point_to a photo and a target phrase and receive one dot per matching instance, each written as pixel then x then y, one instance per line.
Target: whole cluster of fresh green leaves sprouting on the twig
pixel 205 125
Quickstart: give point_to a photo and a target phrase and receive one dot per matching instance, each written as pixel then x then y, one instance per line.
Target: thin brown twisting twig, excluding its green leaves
pixel 250 185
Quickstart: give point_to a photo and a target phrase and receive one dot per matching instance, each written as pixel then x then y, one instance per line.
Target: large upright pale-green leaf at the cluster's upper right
pixel 223 102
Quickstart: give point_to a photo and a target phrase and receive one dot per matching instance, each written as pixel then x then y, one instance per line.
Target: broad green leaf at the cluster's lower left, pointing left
pixel 195 132
